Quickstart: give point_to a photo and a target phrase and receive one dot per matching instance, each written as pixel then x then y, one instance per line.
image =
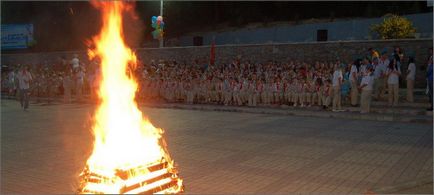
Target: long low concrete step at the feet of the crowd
pixel 416 114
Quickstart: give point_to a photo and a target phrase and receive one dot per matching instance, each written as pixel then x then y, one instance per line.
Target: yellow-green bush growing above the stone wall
pixel 394 27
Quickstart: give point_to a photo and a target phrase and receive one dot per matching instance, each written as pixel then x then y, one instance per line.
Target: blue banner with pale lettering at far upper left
pixel 16 36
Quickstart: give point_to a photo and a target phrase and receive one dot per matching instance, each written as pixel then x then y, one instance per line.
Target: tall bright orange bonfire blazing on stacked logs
pixel 124 139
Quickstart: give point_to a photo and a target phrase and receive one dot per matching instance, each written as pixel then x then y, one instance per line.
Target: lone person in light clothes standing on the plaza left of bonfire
pixel 24 78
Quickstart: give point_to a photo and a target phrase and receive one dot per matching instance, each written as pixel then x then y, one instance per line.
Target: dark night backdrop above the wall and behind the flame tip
pixel 60 26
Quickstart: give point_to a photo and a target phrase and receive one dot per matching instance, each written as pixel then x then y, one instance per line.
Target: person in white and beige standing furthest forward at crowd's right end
pixel 366 86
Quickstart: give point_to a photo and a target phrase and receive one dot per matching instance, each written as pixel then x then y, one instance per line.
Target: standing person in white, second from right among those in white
pixel 393 73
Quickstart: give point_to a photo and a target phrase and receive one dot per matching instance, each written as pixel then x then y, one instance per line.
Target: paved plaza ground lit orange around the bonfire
pixel 43 151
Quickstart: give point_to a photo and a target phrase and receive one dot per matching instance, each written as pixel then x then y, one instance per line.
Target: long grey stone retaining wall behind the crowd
pixel 346 51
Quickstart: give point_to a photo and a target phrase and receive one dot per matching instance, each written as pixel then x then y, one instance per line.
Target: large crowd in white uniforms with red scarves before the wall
pixel 239 83
